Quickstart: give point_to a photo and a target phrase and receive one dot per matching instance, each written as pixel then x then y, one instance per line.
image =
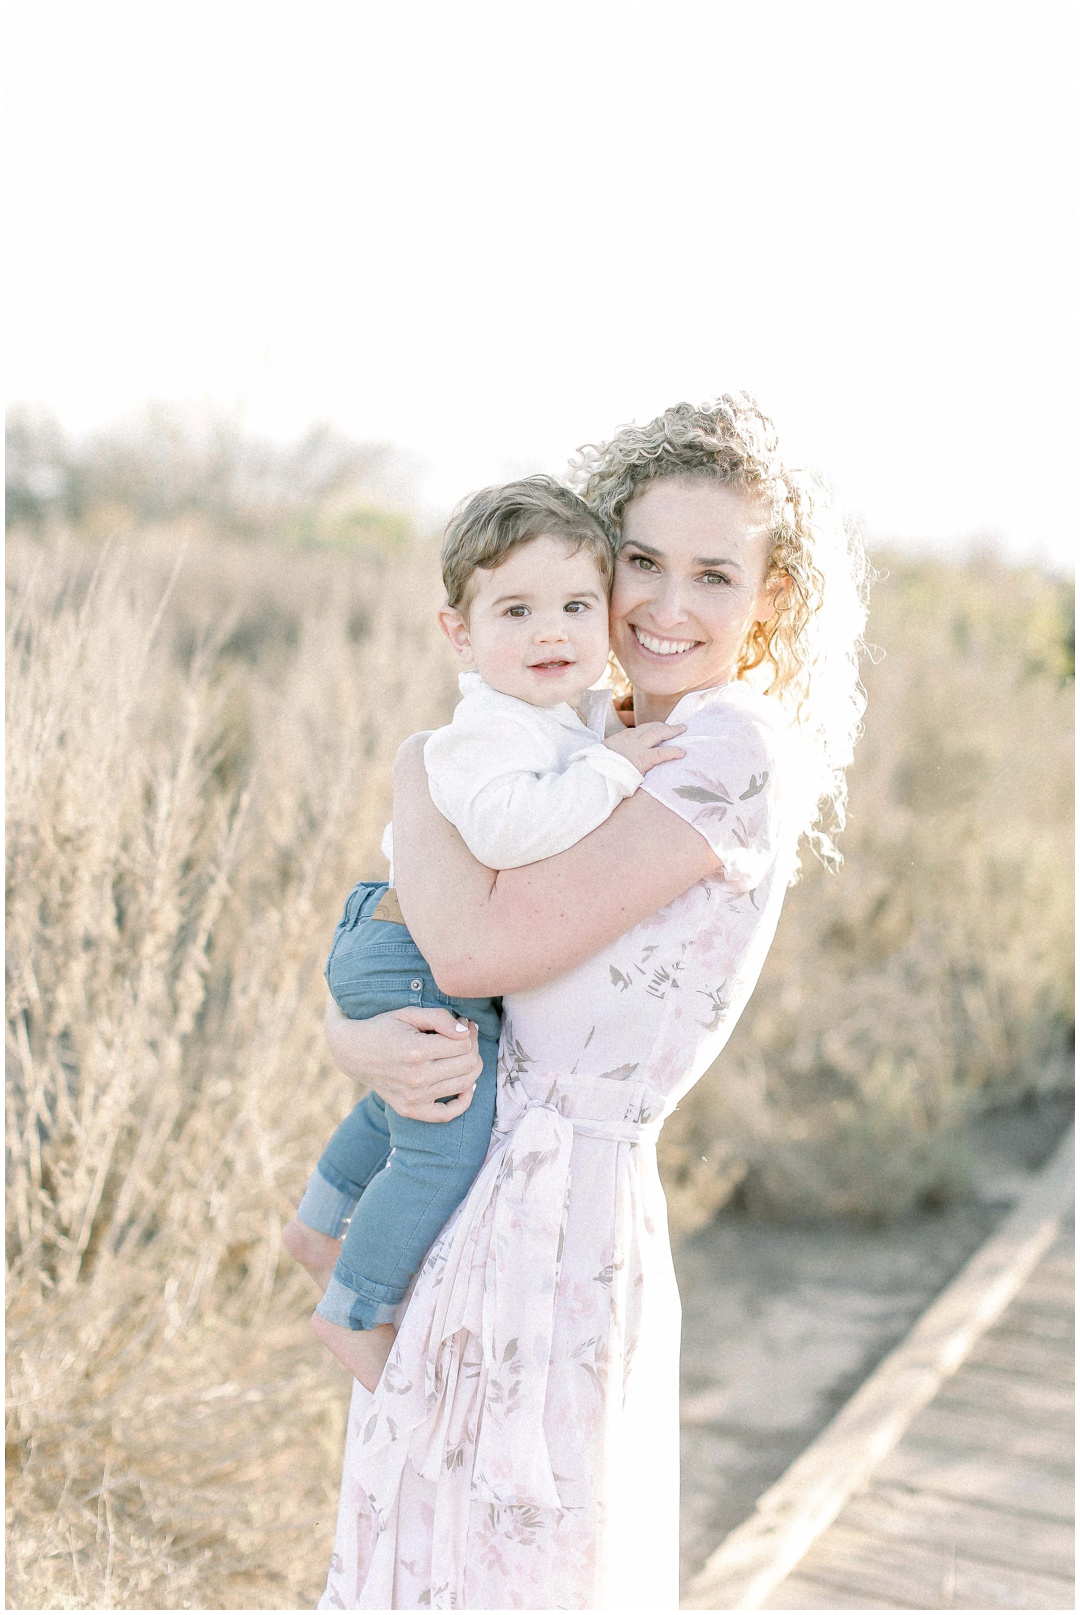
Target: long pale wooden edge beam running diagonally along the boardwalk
pixel 753 1559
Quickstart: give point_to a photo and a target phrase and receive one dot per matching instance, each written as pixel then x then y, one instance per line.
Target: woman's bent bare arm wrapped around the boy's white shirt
pixel 485 933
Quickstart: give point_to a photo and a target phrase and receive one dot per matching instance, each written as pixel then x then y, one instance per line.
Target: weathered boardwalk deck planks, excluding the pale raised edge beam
pixel 974 1508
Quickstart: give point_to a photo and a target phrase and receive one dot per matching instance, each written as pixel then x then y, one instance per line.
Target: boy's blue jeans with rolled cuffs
pixel 391 1180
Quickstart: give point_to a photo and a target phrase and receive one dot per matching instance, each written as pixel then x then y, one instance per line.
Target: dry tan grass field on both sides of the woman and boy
pixel 199 768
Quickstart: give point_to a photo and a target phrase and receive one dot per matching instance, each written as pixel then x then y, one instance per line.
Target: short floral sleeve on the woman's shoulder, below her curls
pixel 727 786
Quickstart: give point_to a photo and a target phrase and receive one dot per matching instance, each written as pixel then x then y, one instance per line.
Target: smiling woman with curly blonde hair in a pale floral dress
pixel 522 1446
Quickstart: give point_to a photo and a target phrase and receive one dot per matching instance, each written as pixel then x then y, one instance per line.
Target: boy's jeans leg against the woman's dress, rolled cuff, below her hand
pixel 430 1172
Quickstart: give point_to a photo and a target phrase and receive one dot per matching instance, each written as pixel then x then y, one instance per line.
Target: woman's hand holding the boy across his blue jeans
pixel 412 1059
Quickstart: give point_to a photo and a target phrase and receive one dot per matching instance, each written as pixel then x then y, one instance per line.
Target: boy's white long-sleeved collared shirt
pixel 522 782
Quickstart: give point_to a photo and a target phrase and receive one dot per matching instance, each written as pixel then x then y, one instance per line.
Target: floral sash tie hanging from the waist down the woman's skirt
pixel 467 1380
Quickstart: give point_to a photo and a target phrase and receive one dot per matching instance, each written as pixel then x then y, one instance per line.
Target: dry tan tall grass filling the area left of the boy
pixel 190 799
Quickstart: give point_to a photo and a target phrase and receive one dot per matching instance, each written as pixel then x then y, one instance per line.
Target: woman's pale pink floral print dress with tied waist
pixel 522 1446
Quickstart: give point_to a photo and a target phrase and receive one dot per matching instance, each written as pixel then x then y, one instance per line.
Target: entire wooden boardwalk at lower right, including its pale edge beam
pixel 947 1480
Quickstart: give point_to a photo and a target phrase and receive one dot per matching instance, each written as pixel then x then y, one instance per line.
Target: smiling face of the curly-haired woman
pixel 690 582
